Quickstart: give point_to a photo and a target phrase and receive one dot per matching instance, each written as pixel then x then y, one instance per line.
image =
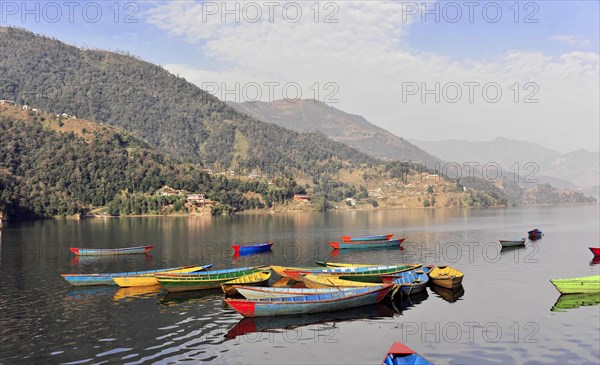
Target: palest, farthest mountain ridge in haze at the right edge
pixel 578 168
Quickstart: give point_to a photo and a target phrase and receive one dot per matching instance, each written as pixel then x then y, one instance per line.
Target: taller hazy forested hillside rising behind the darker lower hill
pixel 168 112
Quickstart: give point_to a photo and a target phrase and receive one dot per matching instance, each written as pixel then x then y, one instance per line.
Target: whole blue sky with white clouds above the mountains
pixel 471 70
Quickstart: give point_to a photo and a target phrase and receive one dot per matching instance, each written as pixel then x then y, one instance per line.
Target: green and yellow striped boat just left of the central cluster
pixel 204 280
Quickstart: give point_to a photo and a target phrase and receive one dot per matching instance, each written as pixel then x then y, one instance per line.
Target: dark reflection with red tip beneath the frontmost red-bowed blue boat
pixel 284 323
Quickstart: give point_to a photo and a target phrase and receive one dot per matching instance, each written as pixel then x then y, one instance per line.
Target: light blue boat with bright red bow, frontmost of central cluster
pixel 325 302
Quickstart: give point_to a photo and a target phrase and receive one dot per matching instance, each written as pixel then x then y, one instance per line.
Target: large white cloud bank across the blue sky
pixel 367 56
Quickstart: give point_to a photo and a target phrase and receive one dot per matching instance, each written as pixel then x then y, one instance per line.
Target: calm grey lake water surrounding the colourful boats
pixel 503 315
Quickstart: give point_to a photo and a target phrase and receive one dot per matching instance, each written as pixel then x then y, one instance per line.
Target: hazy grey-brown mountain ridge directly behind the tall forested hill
pixel 353 130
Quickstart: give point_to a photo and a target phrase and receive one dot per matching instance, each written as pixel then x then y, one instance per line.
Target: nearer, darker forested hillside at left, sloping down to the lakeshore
pixel 55 166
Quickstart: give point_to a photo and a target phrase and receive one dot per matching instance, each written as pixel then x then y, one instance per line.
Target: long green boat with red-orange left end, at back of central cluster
pixel 369 274
